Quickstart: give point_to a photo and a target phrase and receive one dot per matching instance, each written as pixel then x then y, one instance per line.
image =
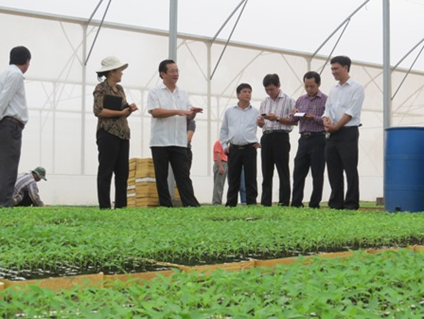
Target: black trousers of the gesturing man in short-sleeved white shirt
pixel 178 158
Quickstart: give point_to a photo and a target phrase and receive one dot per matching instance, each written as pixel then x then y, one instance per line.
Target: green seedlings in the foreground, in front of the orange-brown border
pixel 364 286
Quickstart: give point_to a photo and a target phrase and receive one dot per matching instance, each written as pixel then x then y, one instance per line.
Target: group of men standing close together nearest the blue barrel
pixel 328 128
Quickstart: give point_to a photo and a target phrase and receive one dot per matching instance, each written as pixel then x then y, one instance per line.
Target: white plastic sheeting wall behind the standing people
pixel 61 132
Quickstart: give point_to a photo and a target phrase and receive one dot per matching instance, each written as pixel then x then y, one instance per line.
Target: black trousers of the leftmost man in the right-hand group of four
pixel 239 157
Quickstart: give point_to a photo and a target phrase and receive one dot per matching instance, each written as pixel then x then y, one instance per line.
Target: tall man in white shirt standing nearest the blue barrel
pixel 341 118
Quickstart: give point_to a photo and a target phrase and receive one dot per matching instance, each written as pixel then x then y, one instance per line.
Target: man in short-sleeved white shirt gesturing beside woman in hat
pixel 170 108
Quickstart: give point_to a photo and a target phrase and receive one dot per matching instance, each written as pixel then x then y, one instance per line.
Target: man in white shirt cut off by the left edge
pixel 13 117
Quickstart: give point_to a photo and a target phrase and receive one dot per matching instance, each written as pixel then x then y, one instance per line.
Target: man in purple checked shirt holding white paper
pixel 310 153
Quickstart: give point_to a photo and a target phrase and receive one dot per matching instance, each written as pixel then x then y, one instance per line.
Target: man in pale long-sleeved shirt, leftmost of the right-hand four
pixel 239 140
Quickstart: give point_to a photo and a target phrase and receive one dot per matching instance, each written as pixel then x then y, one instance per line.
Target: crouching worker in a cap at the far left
pixel 26 189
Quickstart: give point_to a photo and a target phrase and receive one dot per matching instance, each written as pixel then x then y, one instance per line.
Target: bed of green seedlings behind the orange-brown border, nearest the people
pixel 55 239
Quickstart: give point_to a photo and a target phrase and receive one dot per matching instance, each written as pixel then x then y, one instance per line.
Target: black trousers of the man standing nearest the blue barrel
pixel 341 154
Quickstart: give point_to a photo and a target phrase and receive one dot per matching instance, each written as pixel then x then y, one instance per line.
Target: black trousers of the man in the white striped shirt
pixel 275 151
